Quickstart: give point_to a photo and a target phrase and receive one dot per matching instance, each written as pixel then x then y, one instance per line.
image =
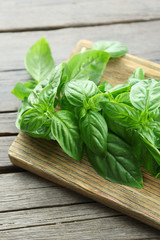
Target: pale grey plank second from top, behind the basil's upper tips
pixel 14 45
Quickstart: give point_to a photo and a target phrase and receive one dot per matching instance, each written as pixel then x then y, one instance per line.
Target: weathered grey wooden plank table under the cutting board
pixel 31 207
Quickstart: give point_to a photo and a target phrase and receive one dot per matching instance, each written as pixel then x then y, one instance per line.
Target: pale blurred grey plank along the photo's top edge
pixel 32 14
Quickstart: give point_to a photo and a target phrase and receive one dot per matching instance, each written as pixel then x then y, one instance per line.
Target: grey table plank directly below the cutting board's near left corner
pixel 22 191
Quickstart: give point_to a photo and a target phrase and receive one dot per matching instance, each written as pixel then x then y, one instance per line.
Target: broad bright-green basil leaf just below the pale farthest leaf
pixel 88 65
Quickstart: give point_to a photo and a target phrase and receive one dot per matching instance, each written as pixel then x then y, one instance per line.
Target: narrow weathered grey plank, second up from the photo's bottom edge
pixel 54 215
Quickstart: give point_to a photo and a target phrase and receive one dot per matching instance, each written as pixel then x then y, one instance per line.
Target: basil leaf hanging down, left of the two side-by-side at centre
pixel 65 130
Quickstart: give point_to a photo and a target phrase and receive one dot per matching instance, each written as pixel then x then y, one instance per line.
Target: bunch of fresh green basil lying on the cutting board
pixel 117 127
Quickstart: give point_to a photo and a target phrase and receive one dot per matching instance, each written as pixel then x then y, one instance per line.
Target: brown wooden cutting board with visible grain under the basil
pixel 47 159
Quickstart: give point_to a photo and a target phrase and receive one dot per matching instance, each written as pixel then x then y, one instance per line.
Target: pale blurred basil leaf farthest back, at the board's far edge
pixel 115 49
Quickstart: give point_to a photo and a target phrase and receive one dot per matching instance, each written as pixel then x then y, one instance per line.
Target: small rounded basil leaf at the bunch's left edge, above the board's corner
pixel 32 120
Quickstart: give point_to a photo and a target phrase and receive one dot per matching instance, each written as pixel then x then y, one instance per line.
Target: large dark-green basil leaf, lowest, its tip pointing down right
pixel 118 165
